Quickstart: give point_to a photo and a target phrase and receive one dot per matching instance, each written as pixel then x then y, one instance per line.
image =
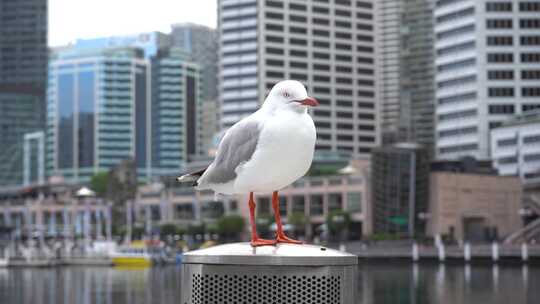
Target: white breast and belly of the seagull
pixel 284 154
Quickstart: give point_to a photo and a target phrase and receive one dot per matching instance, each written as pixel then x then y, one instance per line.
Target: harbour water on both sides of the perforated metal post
pixel 378 284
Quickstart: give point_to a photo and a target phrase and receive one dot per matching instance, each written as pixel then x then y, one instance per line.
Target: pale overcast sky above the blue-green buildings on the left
pixel 72 19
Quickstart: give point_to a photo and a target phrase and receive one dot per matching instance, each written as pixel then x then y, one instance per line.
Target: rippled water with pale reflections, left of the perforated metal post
pixel 90 285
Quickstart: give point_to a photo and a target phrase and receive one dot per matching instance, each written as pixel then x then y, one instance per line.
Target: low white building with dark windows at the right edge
pixel 515 148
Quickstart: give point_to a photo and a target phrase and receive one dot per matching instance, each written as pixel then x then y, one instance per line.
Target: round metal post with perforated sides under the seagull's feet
pixel 238 273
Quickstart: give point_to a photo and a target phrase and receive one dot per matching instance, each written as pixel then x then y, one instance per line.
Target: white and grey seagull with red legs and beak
pixel 263 153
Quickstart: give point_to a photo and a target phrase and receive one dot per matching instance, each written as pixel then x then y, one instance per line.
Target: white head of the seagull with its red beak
pixel 290 94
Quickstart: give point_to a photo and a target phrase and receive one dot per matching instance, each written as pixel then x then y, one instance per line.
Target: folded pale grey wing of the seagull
pixel 236 147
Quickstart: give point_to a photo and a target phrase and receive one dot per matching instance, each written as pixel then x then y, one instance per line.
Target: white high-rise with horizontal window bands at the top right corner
pixel 487 70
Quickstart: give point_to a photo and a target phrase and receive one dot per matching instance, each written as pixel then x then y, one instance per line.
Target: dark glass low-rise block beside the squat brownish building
pixel 400 189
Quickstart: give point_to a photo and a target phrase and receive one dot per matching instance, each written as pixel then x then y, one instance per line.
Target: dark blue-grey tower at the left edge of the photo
pixel 23 74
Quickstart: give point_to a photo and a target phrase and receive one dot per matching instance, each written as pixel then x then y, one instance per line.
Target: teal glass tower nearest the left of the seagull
pixel 176 99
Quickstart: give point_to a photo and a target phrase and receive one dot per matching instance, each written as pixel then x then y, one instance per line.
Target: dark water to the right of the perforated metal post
pixel 445 284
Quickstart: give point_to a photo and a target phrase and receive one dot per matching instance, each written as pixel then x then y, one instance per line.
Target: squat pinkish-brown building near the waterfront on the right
pixel 469 203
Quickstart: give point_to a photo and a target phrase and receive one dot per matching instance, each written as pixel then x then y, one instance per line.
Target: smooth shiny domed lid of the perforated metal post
pixel 281 254
